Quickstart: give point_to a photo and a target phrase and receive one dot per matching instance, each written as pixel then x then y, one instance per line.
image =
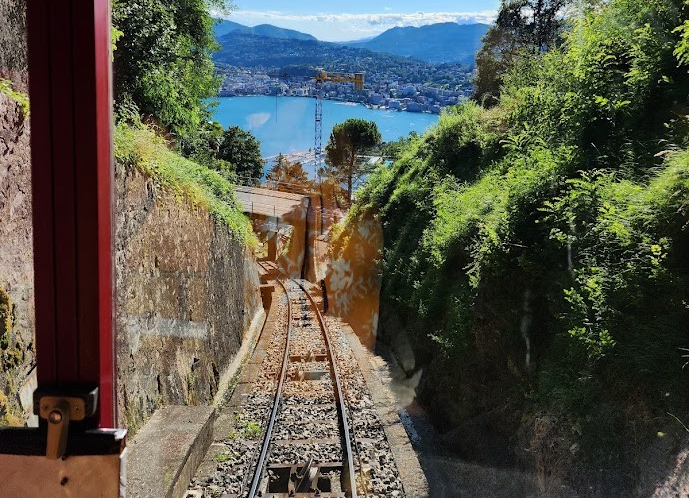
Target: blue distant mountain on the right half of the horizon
pixel 443 42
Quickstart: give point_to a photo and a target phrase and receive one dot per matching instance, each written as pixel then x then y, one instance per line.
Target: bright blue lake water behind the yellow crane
pixel 286 124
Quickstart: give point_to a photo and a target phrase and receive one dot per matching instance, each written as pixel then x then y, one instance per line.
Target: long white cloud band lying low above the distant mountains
pixel 344 26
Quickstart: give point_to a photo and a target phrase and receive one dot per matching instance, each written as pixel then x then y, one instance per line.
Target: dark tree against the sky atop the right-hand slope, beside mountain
pixel 523 27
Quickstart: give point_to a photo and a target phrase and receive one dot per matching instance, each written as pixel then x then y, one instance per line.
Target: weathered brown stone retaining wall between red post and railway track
pixel 187 291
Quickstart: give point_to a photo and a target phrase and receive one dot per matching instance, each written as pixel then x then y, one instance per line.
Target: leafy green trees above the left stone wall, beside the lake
pixel 164 76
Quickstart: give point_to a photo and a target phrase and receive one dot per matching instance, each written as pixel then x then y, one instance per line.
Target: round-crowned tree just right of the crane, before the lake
pixel 347 141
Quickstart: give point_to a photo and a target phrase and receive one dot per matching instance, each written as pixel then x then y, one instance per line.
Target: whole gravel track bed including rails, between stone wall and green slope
pixel 301 422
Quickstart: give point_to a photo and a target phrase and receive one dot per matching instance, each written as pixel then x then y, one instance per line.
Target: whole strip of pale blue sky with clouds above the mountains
pixel 345 20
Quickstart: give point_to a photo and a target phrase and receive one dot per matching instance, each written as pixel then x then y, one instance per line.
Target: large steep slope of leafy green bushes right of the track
pixel 536 250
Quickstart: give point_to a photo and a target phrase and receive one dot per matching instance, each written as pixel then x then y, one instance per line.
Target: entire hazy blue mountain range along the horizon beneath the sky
pixel 435 43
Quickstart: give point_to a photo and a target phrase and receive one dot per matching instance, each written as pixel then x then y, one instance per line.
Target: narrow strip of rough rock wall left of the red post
pixel 17 353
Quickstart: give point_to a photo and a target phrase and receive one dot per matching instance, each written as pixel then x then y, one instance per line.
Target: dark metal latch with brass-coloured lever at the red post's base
pixel 60 406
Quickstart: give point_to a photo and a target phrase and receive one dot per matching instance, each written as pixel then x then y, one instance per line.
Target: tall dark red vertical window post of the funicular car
pixel 70 78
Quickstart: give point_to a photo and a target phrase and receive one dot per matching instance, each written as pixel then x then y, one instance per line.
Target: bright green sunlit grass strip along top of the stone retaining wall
pixel 138 147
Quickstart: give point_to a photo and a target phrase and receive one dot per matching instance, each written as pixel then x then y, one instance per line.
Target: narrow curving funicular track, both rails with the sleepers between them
pixel 307 446
